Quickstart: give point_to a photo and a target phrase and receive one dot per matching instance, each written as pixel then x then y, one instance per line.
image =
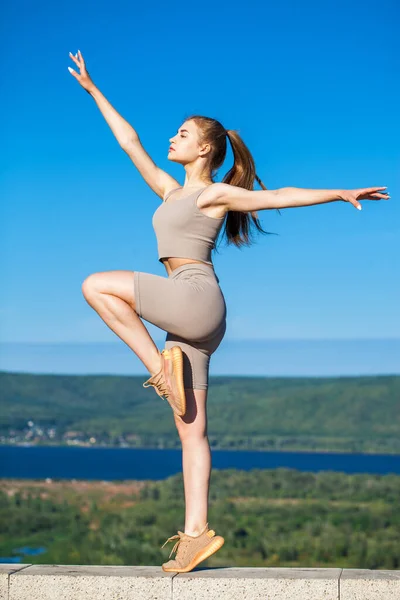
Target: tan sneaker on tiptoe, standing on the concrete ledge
pixel 191 550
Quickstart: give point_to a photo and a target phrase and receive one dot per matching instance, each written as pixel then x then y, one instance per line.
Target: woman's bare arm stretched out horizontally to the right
pixel 238 199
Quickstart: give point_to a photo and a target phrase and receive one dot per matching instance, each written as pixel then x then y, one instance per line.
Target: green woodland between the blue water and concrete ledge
pixel 273 517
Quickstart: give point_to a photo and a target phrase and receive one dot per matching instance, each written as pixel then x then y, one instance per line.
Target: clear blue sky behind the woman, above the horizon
pixel 313 88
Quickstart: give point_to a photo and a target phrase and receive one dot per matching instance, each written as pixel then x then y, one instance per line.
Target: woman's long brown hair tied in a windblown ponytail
pixel 242 174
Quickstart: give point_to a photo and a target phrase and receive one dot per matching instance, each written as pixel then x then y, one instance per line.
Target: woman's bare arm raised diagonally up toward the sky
pixel 159 181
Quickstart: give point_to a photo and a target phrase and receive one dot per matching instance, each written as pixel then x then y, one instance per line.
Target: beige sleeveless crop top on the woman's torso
pixel 183 230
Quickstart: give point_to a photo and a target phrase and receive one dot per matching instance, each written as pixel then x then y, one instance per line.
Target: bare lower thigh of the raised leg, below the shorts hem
pixel 116 283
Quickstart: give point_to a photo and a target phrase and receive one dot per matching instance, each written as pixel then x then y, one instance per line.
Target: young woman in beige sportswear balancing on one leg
pixel 189 304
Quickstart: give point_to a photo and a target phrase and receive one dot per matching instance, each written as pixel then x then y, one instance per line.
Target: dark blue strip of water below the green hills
pixel 109 464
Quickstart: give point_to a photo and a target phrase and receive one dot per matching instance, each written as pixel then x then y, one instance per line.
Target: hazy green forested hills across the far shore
pixel 300 413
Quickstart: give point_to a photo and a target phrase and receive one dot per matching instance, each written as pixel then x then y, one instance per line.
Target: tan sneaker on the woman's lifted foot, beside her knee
pixel 168 381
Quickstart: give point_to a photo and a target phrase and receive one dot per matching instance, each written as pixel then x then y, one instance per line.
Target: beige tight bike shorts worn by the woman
pixel 190 306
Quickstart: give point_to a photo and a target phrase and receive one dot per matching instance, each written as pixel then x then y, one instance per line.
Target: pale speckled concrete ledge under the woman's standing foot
pixel 76 582
